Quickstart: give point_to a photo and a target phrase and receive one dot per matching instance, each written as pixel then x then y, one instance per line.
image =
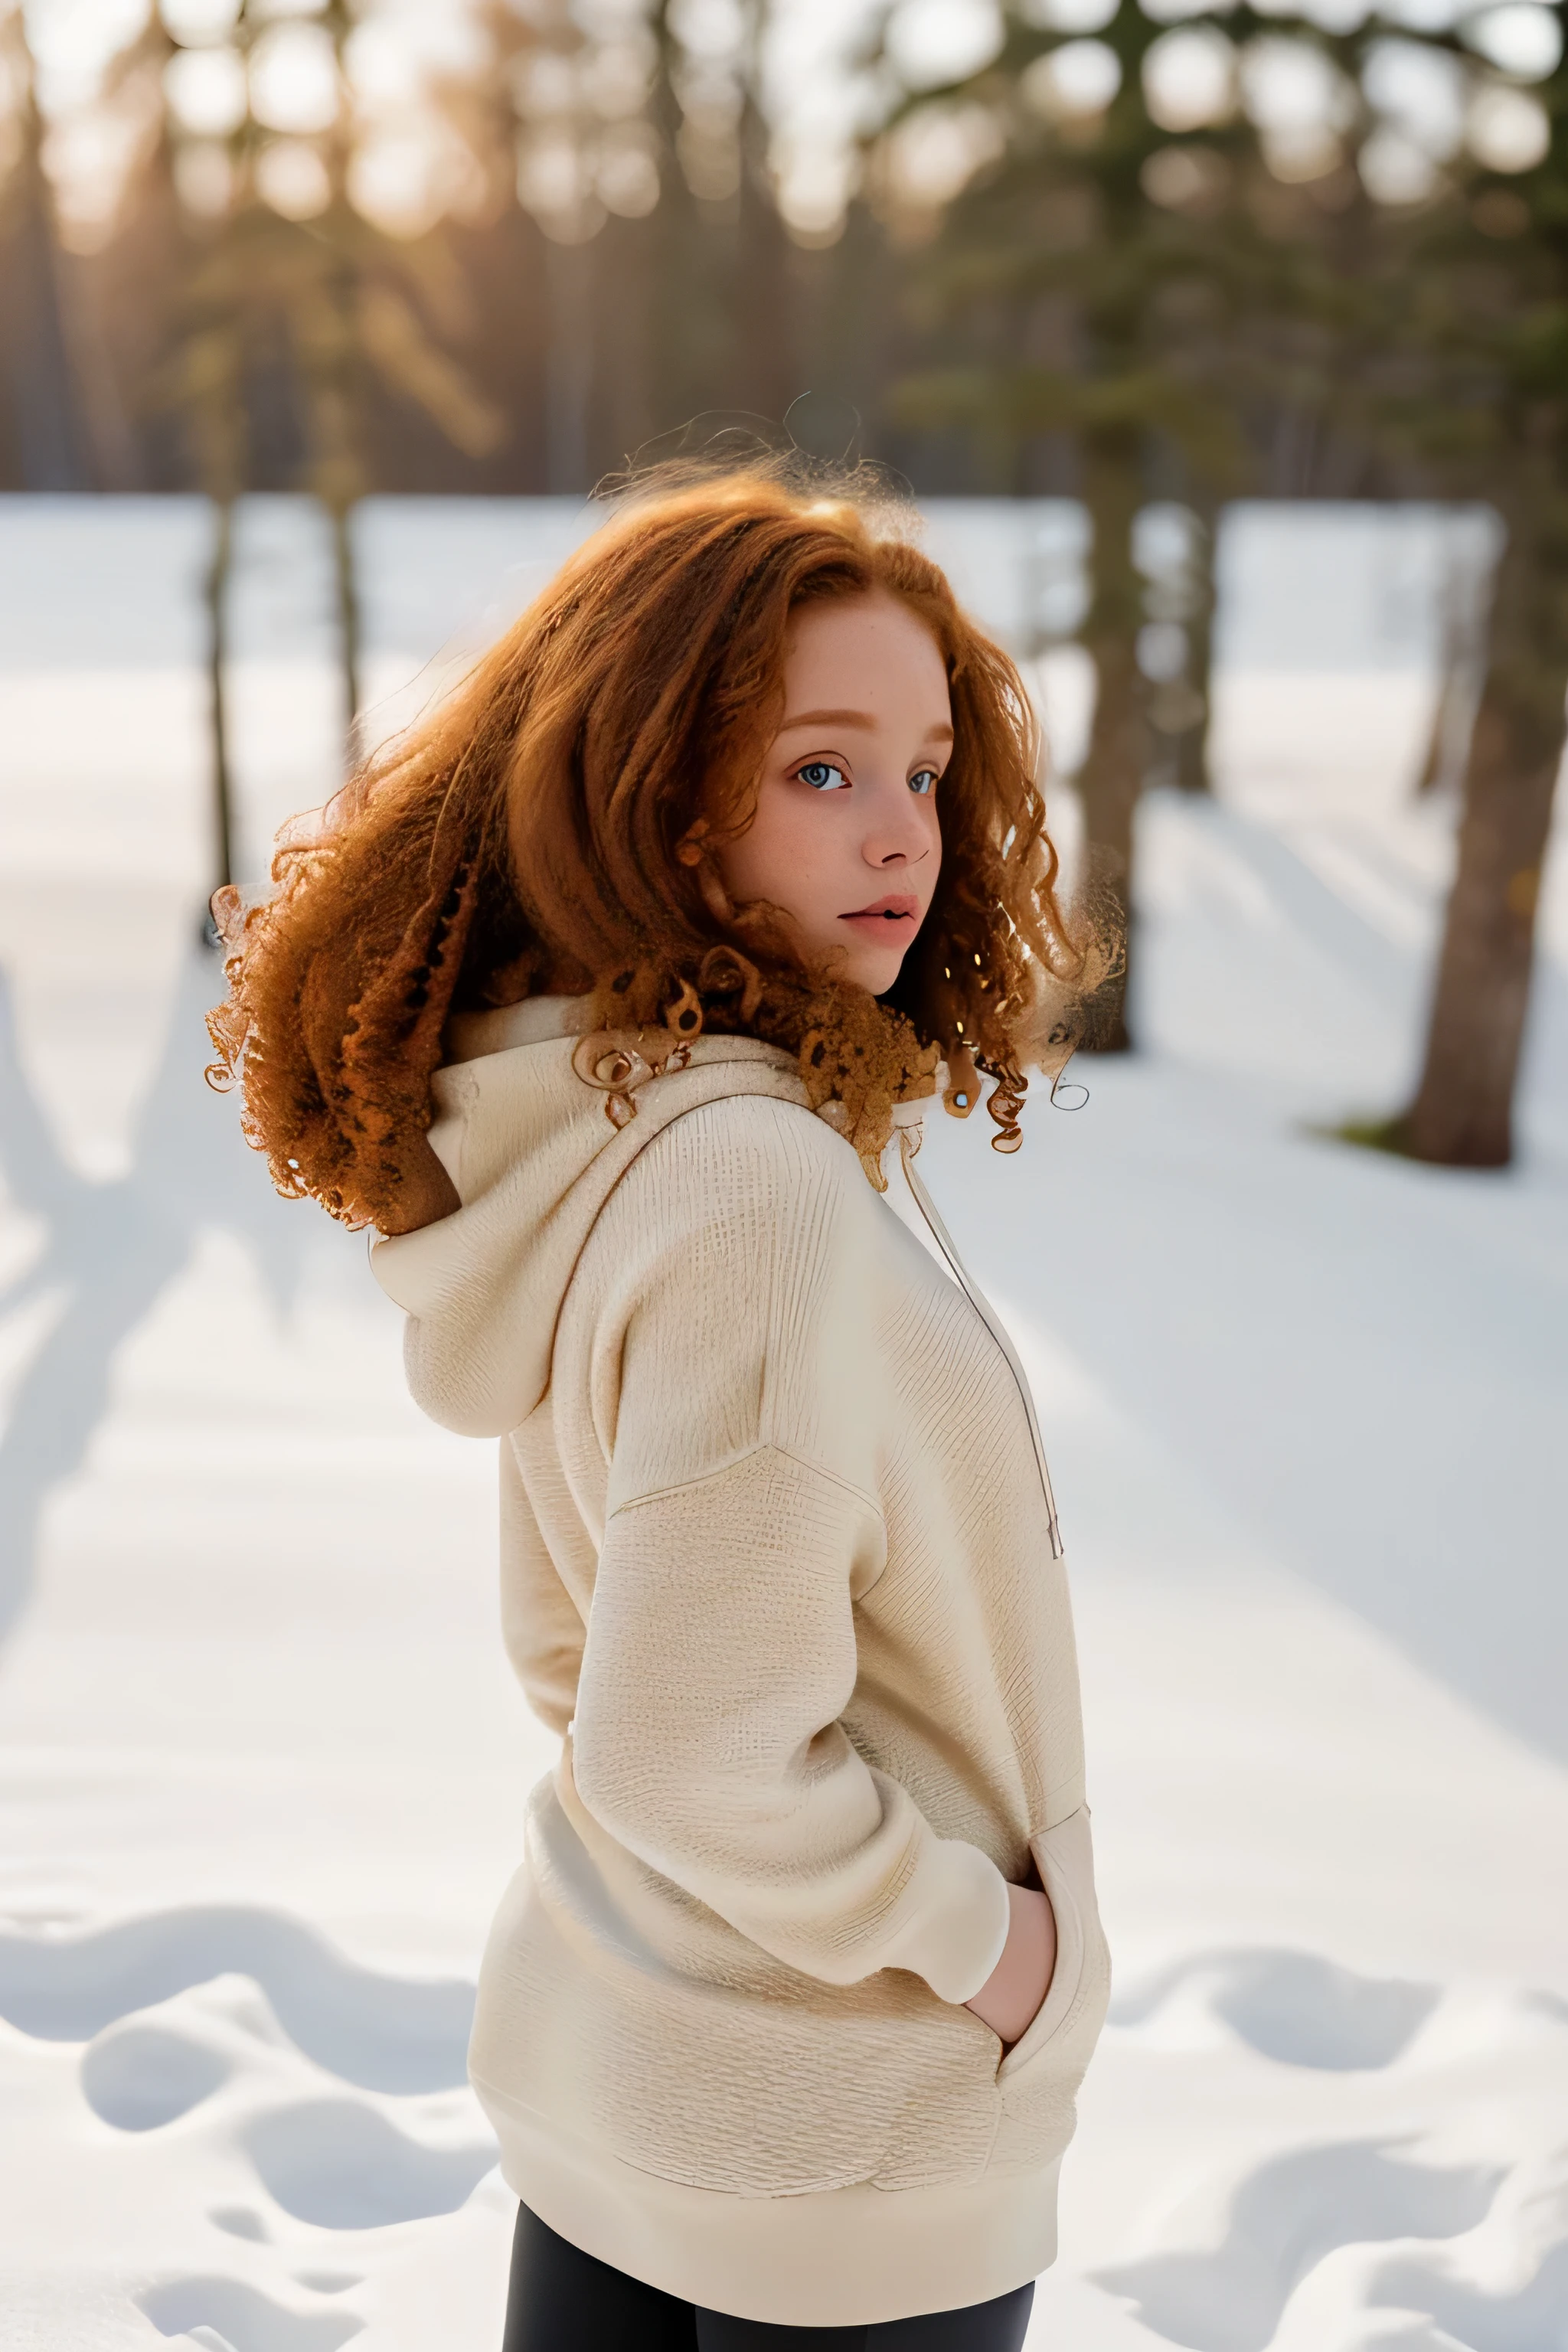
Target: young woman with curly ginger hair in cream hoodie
pixel 603 996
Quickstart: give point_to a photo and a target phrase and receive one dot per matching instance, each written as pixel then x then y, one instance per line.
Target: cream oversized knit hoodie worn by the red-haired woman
pixel 777 1563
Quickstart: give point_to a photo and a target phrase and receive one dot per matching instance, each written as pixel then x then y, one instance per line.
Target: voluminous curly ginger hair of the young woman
pixel 551 827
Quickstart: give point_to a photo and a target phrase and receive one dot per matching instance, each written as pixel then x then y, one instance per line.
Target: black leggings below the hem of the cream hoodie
pixel 568 2301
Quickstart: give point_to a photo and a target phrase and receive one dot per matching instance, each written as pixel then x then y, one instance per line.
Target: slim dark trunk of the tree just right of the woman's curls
pixel 1120 740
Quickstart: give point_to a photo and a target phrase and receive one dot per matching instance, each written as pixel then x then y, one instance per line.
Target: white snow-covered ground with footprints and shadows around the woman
pixel 260 1758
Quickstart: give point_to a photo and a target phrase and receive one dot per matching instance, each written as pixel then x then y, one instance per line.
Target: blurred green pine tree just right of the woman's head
pixel 1094 276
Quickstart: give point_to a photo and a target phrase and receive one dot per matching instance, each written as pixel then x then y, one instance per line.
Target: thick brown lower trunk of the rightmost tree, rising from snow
pixel 1463 1107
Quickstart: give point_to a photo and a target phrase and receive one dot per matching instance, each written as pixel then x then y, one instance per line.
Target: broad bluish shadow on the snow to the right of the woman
pixel 1360 1358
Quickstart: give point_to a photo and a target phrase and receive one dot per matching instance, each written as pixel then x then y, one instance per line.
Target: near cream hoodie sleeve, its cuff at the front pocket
pixel 742 1528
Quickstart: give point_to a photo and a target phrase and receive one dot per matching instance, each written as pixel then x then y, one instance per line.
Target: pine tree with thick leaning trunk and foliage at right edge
pixel 1477 319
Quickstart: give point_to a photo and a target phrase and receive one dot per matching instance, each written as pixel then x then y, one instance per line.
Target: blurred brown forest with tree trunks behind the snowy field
pixel 1113 250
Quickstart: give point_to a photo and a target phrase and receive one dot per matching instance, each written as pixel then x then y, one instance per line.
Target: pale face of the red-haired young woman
pixel 845 838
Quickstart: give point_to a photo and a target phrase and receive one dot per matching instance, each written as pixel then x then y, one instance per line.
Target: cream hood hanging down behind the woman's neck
pixel 535 1158
